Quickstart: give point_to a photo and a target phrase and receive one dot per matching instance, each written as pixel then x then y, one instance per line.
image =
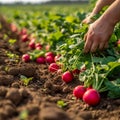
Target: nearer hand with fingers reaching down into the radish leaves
pixel 98 36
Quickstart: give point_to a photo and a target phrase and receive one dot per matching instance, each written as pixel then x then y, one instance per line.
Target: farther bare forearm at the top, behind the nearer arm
pixel 100 4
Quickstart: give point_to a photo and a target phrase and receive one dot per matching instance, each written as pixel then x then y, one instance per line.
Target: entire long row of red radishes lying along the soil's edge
pixel 88 95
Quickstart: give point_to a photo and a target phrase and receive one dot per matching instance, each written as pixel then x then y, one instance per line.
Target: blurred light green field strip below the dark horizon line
pixel 8 9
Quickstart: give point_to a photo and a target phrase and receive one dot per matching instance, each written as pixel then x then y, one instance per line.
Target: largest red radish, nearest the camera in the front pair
pixel 91 97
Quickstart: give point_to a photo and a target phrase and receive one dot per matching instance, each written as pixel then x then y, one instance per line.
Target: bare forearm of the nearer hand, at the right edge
pixel 112 14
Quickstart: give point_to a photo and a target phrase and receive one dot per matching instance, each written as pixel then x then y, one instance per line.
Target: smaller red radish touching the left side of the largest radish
pixel 79 91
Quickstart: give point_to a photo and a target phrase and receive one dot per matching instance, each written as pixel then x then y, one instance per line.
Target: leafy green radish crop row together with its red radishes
pixel 64 35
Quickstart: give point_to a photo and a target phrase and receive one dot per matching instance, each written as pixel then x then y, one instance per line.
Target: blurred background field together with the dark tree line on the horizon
pixel 53 7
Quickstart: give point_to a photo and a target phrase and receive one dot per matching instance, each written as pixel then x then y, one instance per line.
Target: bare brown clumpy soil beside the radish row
pixel 38 100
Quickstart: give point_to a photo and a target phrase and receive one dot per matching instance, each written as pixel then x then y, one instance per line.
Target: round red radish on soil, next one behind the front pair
pixel 67 76
